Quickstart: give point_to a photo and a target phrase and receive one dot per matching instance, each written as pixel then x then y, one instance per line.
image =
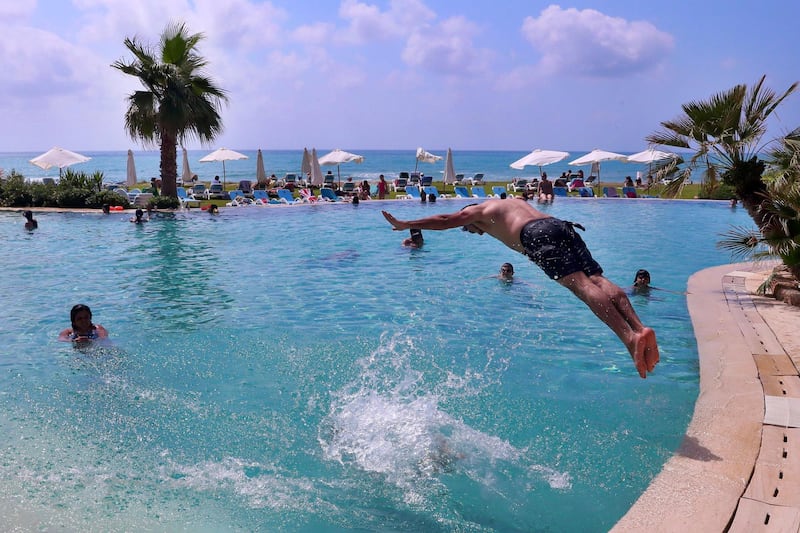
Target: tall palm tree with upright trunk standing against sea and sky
pixel 178 101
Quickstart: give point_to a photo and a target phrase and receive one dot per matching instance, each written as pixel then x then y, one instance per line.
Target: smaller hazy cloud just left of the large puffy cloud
pixel 447 49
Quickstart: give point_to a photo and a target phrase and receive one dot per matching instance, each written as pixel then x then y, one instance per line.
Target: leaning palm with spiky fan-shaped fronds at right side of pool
pixel 725 132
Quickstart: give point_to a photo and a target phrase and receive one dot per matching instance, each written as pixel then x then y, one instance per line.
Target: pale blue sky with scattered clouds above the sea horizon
pixel 354 74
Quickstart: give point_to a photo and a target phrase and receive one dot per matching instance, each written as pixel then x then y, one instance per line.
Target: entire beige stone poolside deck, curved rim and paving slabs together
pixel 738 468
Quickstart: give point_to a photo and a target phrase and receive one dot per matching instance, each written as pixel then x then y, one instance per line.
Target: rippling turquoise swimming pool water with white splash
pixel 295 369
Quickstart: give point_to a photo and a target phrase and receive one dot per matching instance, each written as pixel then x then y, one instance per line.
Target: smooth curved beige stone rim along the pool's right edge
pixel 701 486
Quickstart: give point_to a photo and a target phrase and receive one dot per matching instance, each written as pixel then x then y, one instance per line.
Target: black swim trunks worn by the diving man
pixel 554 245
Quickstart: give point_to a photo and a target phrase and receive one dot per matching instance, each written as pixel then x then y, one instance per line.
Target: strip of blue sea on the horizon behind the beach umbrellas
pixel 495 165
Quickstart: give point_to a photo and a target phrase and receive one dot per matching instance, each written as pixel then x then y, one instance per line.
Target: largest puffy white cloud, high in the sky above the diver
pixel 591 44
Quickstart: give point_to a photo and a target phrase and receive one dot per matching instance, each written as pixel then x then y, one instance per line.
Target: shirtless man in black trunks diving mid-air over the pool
pixel 560 252
